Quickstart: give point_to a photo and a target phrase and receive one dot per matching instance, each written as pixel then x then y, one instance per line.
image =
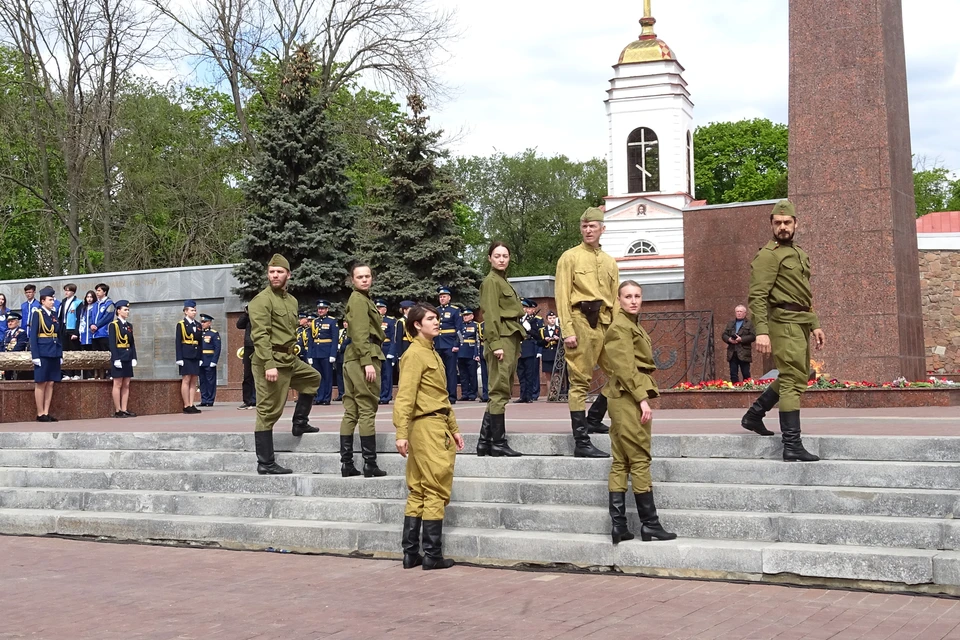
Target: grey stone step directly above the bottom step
pixel 918 533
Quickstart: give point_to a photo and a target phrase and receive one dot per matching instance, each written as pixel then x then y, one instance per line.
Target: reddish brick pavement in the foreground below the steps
pixel 66 589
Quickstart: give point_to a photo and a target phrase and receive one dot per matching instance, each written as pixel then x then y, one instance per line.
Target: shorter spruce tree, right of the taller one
pixel 410 233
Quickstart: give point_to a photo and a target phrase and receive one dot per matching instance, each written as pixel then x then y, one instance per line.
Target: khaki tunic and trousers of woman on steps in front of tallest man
pixel 629 366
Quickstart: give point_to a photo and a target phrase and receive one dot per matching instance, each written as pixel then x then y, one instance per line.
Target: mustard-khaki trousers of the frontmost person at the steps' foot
pixel 430 462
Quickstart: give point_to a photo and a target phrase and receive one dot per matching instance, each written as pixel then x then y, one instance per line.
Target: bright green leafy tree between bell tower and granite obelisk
pixel 741 161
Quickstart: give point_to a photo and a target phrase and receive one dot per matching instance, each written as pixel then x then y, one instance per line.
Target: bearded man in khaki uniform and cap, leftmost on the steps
pixel 273 329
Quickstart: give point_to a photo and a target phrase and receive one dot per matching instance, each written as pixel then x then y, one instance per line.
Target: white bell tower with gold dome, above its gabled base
pixel 650 122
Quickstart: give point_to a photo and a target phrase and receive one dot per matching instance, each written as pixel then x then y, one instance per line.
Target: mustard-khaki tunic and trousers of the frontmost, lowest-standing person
pixel 423 416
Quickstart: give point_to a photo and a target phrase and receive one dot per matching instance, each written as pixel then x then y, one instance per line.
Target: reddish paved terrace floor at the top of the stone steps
pixel 543 417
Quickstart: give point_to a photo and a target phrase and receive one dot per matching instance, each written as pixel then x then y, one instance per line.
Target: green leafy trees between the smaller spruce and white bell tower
pixel 531 202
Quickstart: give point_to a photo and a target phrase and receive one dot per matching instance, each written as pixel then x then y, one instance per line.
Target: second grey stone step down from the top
pixel 852 473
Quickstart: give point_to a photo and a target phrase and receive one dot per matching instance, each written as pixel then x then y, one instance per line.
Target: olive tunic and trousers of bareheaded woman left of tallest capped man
pixel 501 330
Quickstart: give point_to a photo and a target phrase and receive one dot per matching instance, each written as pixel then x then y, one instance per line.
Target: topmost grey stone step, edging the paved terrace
pixel 876 448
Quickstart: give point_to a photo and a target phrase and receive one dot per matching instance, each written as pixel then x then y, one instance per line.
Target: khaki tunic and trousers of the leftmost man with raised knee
pixel 273 329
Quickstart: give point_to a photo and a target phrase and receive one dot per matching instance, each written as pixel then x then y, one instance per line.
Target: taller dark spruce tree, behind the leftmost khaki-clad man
pixel 299 194
